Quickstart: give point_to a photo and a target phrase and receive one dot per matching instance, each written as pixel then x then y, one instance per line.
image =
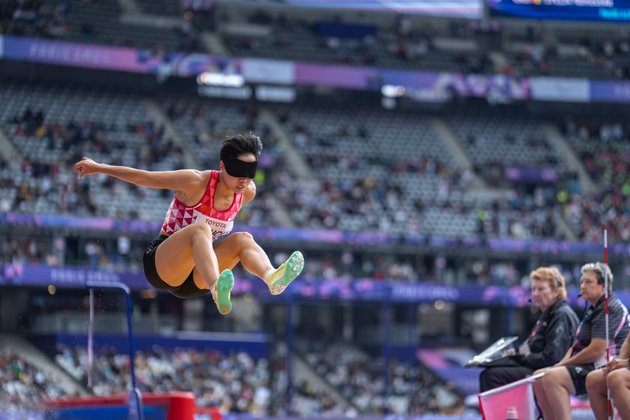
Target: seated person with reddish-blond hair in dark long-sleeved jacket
pixel 548 341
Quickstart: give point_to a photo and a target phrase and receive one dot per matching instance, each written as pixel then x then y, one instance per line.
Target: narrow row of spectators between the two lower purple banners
pixel 348 265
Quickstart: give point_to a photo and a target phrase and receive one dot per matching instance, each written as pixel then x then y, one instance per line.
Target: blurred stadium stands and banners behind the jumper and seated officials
pixel 424 156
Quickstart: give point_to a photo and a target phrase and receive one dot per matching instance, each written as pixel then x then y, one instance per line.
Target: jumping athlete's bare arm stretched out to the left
pixel 180 180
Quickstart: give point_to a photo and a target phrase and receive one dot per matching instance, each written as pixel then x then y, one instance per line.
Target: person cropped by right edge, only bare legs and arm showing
pixel 616 377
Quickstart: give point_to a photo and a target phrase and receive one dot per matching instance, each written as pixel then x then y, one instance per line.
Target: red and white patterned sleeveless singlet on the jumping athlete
pixel 180 215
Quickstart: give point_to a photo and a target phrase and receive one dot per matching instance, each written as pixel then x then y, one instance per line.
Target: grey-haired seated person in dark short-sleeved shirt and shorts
pixel 568 377
